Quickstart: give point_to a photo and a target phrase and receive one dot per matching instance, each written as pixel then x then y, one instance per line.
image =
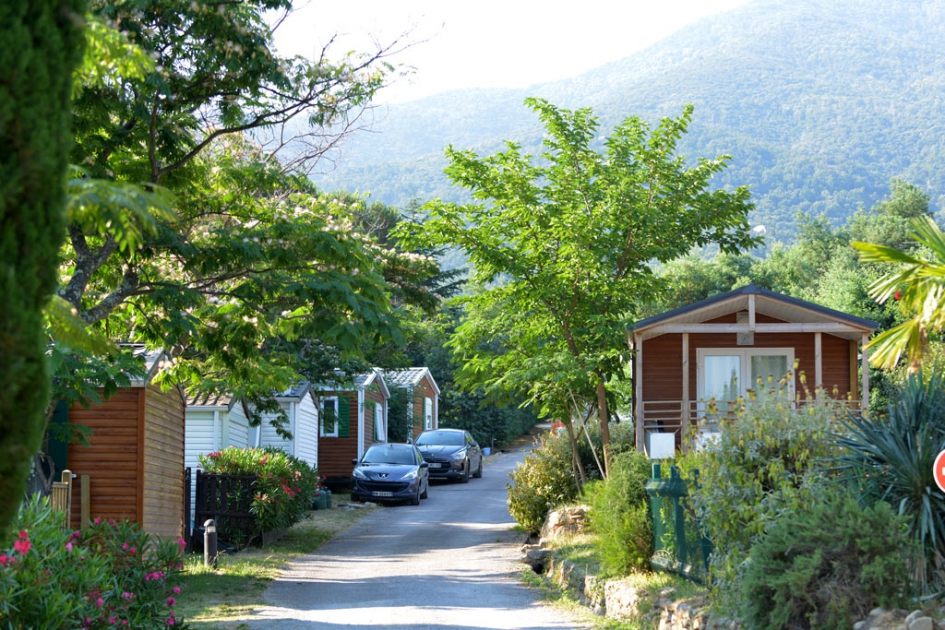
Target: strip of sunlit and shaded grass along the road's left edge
pixel 215 600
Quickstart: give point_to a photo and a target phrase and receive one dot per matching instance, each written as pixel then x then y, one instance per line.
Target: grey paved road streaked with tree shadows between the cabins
pixel 451 562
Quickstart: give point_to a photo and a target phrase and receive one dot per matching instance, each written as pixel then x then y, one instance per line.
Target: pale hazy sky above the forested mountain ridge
pixel 490 43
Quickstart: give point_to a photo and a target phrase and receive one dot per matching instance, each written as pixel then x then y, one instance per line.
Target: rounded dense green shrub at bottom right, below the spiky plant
pixel 825 566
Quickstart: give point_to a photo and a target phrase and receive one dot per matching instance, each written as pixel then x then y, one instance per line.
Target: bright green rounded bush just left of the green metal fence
pixel 620 515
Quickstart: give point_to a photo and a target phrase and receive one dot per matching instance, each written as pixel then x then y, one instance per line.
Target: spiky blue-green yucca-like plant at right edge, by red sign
pixel 889 457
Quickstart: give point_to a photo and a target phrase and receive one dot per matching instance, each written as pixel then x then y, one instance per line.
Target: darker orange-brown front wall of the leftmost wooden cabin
pixel 112 458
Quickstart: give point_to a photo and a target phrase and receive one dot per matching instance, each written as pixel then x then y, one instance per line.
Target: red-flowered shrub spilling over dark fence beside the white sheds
pixel 284 489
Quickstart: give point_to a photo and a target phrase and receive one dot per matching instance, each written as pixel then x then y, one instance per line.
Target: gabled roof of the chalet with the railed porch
pixel 816 318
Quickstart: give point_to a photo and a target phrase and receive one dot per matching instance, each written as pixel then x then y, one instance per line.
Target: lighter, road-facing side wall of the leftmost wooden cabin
pixel 163 448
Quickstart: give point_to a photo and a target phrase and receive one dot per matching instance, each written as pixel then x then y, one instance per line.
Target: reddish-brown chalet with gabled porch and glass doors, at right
pixel 717 349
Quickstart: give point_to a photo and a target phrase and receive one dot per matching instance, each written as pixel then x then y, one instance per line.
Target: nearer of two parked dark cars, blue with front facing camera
pixel 390 472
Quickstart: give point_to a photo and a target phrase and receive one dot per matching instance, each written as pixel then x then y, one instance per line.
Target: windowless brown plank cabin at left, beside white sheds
pixel 135 457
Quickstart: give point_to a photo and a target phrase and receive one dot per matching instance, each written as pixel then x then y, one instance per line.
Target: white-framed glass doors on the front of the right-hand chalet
pixel 727 373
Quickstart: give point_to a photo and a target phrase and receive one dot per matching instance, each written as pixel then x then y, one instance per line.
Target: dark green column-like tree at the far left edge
pixel 40 44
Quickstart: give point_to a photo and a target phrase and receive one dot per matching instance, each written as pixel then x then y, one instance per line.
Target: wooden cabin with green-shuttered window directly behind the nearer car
pixel 352 417
